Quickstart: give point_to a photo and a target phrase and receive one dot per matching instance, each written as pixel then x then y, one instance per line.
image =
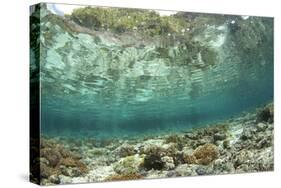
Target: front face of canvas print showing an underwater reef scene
pixel 149 94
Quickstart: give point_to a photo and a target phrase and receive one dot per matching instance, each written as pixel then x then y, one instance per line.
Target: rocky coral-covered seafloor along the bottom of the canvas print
pixel 238 145
